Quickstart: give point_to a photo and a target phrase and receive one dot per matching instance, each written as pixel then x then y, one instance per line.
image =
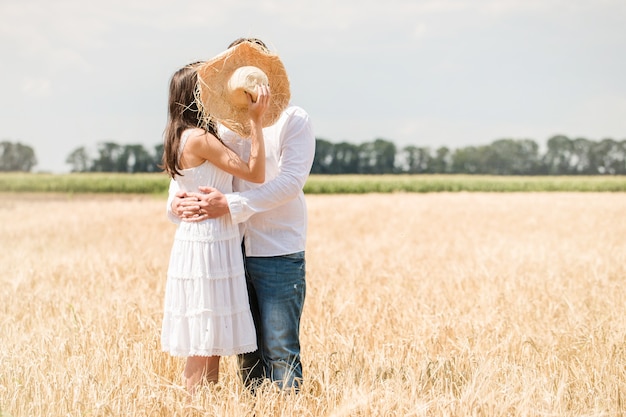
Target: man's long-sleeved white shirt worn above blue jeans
pixel 272 215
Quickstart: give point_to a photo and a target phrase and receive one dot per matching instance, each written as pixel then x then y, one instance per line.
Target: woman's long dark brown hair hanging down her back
pixel 182 114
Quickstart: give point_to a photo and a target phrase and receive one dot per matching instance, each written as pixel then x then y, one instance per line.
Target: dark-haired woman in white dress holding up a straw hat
pixel 207 313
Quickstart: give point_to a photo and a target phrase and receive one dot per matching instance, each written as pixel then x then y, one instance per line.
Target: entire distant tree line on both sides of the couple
pixel 562 156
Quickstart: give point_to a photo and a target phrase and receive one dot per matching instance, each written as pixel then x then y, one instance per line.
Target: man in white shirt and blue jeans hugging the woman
pixel 273 222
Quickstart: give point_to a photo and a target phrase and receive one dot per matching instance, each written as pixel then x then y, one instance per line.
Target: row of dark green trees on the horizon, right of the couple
pixel 563 156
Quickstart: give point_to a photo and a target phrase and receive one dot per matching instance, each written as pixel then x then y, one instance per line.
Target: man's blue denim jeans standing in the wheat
pixel 276 288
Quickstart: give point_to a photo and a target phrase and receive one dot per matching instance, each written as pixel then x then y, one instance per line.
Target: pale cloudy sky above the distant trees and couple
pixel 428 73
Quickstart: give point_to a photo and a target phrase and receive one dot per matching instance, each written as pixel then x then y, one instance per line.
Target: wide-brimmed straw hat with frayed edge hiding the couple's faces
pixel 223 81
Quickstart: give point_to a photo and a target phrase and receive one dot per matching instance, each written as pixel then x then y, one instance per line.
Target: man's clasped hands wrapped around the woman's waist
pixel 209 203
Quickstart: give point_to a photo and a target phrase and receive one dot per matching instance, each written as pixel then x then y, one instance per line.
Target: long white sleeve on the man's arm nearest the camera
pixel 297 150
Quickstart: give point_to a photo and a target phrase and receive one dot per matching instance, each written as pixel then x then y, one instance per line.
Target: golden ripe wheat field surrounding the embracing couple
pixel 449 304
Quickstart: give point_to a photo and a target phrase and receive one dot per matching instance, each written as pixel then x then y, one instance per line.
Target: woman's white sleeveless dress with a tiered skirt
pixel 207 312
